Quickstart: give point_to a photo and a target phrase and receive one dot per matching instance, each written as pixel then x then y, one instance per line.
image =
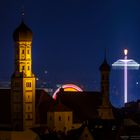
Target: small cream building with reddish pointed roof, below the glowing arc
pixel 60 118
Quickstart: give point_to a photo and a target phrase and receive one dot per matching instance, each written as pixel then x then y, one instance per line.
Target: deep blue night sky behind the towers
pixel 69 39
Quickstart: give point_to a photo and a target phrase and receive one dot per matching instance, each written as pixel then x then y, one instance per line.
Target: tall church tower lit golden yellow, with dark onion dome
pixel 23 81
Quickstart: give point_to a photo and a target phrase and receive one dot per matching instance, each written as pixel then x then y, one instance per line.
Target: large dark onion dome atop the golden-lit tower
pixel 22 33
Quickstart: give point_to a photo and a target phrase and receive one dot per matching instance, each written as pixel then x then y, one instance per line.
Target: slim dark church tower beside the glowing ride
pixel 105 110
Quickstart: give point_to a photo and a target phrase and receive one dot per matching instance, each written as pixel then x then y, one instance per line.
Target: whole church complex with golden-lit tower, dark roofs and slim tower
pixel 26 106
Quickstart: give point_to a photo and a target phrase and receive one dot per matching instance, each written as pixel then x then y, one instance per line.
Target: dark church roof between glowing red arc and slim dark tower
pixel 84 104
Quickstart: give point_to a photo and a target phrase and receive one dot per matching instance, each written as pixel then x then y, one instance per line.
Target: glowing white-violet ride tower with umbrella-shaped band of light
pixel 125 64
